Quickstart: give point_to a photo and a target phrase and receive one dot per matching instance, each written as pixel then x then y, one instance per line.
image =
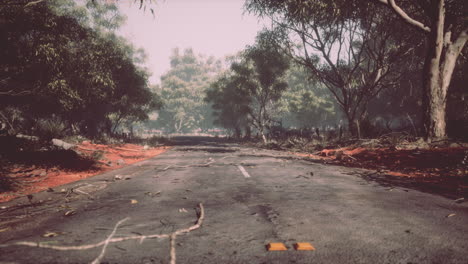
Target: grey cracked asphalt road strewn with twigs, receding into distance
pixel 209 201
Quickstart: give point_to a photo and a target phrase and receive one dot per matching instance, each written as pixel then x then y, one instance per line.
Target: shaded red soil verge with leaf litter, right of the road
pixel 445 169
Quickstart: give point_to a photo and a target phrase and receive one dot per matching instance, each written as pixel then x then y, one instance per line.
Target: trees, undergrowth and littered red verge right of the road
pixel 367 84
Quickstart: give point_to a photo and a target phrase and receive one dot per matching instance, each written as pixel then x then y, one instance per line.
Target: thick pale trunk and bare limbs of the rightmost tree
pixel 439 64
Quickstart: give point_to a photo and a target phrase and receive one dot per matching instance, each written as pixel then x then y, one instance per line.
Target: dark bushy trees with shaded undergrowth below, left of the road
pixel 66 75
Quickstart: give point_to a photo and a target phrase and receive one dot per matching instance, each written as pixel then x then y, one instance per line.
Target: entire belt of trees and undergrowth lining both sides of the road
pixel 326 79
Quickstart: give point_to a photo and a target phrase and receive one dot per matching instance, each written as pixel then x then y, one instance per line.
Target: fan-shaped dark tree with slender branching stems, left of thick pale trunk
pixel 349 49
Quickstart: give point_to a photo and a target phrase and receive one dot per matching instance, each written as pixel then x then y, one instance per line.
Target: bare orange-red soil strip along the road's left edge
pixel 33 178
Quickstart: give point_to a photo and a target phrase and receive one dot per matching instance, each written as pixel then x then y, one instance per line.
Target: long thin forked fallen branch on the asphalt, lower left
pixel 111 239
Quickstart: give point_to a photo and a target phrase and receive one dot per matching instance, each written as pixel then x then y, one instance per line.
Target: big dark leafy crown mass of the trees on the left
pixel 63 60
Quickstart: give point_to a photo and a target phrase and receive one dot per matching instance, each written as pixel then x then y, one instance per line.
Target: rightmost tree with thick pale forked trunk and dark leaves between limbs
pixel 446 28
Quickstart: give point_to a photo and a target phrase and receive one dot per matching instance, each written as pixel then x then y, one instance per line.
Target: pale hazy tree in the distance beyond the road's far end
pixel 182 90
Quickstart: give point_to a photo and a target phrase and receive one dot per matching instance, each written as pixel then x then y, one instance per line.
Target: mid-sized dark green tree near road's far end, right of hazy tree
pixel 259 78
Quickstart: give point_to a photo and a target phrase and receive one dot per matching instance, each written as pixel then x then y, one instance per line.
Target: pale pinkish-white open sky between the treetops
pixel 210 27
